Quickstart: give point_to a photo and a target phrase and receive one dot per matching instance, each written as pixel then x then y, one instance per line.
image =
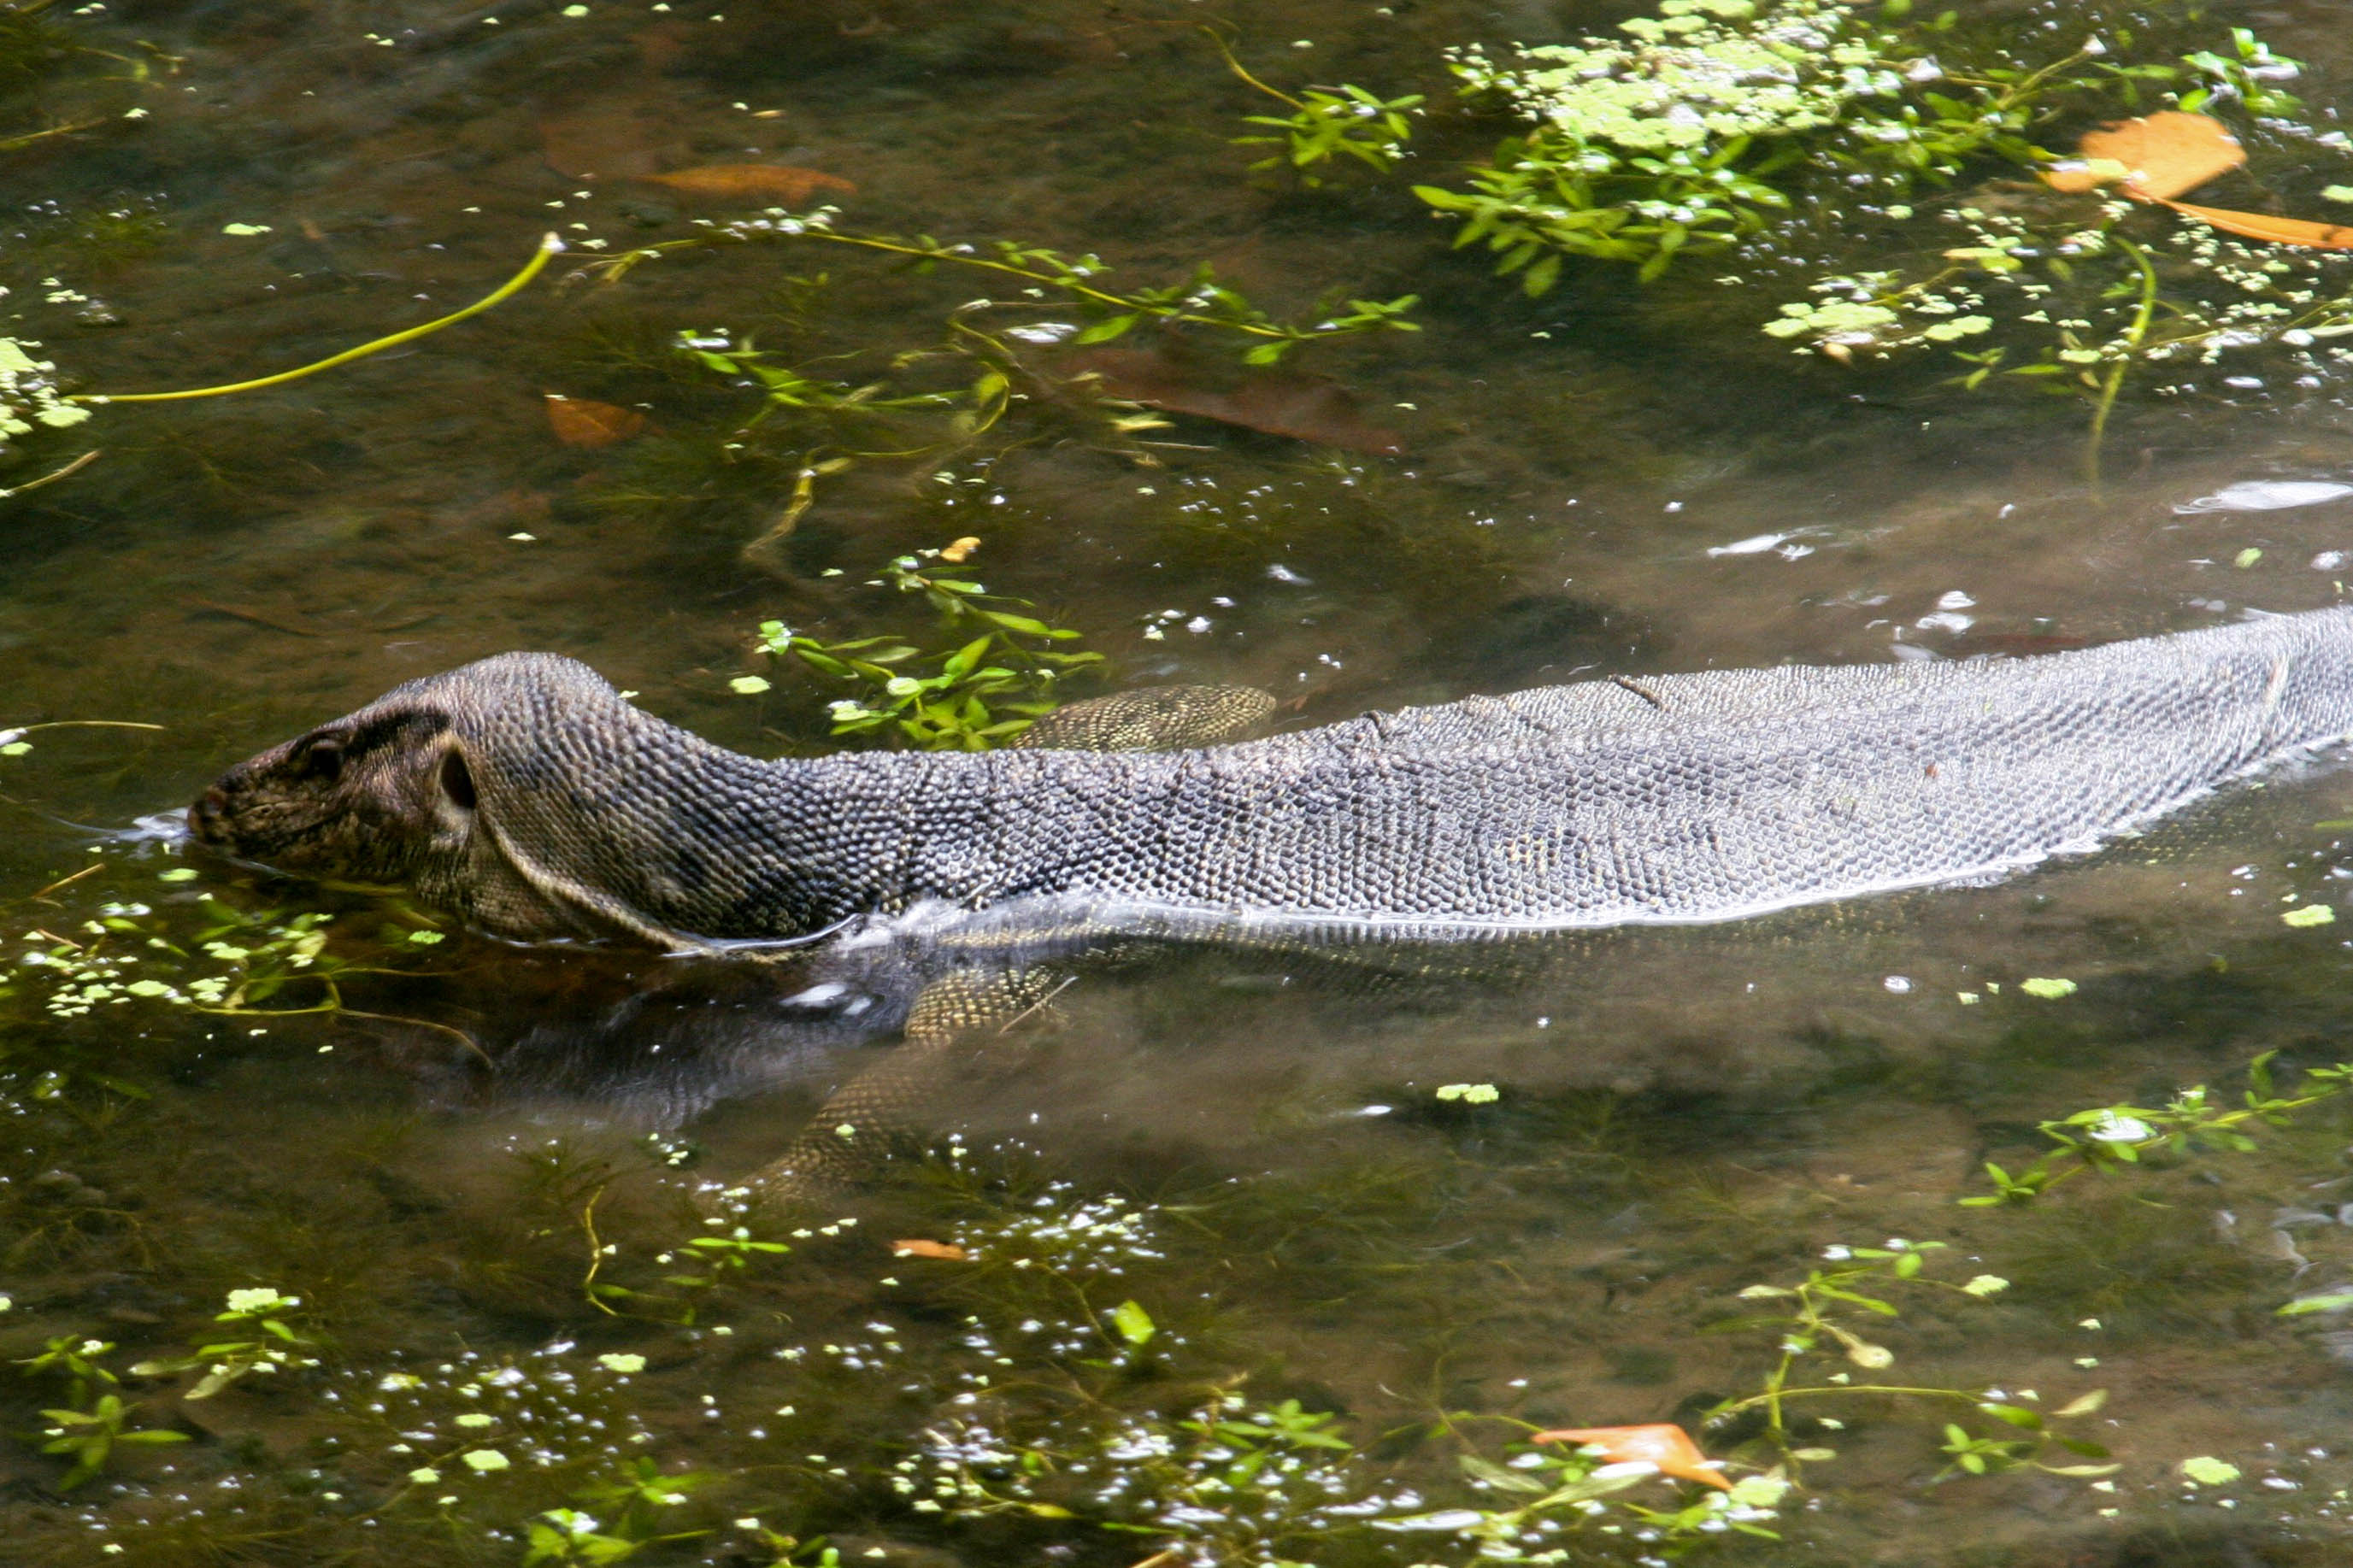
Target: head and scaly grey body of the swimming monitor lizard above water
pixel 531 798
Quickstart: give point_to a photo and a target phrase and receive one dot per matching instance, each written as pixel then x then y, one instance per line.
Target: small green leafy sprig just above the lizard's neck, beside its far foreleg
pixel 982 692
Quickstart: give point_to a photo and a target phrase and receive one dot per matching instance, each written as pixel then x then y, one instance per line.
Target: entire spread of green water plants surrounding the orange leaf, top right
pixel 1768 135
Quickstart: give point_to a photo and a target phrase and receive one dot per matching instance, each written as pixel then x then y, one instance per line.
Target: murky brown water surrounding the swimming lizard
pixel 439 1170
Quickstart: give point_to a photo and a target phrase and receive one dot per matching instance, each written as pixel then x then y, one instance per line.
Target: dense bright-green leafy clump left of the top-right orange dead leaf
pixel 1712 116
